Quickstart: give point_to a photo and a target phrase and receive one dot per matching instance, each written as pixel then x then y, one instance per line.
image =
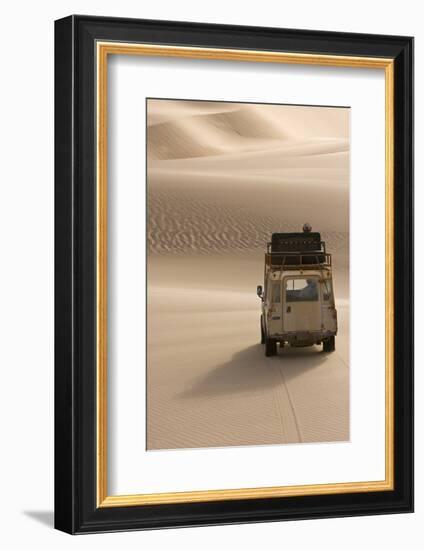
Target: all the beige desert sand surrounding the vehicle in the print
pixel 221 178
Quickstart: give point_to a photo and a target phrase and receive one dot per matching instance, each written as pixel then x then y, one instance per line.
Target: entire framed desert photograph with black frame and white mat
pixel 234 274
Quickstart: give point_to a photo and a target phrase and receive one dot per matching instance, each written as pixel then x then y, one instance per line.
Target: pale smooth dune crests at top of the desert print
pixel 210 131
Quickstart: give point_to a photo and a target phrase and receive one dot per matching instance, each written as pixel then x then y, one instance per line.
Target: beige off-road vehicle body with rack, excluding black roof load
pixel 298 306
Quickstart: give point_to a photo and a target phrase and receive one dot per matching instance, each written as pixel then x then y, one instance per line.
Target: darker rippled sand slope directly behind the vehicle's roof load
pixel 216 216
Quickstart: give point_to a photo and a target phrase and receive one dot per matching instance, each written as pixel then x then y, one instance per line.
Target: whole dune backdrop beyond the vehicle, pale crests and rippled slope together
pixel 207 192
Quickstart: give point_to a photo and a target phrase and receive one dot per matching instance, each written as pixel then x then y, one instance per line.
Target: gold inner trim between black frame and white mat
pixel 103 50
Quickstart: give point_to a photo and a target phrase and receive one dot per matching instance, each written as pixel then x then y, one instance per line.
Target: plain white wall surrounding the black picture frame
pixel 26 272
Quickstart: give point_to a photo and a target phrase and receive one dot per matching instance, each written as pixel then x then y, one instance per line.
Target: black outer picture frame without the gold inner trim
pixel 76 508
